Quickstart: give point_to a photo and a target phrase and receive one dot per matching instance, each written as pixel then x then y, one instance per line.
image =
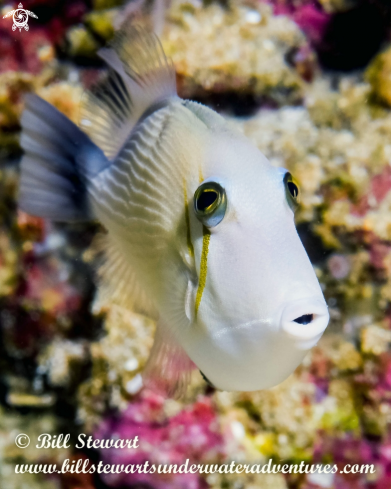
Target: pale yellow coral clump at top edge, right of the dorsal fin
pixel 242 48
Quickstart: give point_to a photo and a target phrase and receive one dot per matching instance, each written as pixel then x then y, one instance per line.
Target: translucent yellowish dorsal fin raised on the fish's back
pixel 139 82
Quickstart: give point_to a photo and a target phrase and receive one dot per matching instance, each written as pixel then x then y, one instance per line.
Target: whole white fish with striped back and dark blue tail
pixel 200 226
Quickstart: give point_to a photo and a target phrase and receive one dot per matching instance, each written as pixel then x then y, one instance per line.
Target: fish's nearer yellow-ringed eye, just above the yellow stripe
pixel 210 203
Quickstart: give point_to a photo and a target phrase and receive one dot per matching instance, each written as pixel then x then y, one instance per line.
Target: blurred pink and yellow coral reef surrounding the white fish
pixel 310 83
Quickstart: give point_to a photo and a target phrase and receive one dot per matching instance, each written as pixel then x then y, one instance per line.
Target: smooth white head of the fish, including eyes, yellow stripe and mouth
pixel 258 306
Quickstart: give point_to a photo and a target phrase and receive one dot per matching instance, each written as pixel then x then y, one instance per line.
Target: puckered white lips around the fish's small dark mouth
pixel 312 331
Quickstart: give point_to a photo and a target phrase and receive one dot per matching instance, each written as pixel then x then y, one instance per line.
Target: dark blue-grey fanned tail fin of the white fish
pixel 59 161
